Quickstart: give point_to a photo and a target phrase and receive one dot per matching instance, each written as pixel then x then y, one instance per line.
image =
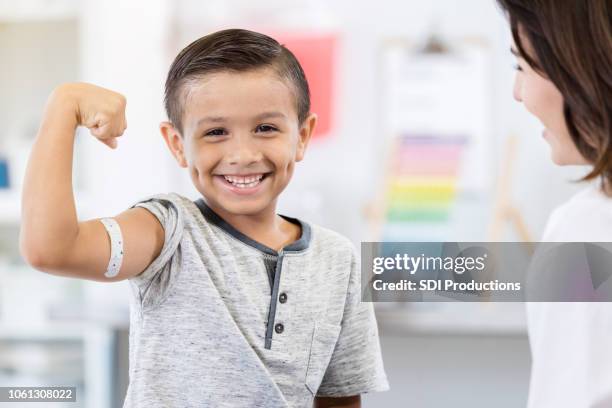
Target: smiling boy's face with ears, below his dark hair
pixel 241 139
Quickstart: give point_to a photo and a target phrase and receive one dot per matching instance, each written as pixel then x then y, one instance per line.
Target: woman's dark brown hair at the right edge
pixel 570 43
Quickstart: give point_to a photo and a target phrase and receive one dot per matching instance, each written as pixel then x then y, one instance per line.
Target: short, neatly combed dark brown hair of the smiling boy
pixel 232 50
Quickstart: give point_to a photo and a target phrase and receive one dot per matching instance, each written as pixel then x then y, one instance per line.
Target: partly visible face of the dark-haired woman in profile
pixel 542 99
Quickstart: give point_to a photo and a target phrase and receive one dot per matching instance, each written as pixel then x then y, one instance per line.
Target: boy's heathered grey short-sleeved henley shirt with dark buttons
pixel 219 320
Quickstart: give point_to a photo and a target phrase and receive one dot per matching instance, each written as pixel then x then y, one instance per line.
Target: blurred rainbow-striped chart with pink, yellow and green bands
pixel 422 186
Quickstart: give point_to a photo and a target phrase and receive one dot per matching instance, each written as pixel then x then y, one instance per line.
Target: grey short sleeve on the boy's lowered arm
pixel 356 366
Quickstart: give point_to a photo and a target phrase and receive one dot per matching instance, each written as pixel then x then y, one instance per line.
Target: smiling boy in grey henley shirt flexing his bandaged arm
pixel 232 304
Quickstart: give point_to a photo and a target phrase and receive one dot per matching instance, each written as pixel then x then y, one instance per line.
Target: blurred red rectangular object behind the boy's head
pixel 317 54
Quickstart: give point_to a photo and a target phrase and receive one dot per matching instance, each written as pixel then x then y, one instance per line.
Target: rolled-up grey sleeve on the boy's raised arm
pixel 153 283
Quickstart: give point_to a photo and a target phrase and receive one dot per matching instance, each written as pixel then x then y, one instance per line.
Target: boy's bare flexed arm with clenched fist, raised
pixel 51 237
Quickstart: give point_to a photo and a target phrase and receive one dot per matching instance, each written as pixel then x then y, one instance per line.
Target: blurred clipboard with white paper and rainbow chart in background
pixel 435 114
